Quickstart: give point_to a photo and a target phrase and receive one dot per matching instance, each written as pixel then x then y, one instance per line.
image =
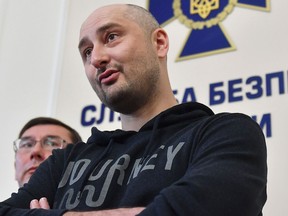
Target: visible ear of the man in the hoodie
pixel 162 42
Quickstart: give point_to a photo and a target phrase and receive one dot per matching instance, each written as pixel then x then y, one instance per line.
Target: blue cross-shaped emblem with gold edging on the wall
pixel 204 19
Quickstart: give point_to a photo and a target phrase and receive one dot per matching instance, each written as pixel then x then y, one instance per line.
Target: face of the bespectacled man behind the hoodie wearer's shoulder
pixel 26 162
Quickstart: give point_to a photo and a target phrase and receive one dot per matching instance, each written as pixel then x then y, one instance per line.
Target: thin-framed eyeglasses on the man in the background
pixel 26 144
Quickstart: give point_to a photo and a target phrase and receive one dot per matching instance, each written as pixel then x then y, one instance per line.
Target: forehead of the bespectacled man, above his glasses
pixel 39 131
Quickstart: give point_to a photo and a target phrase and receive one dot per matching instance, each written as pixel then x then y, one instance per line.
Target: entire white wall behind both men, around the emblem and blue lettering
pixel 42 74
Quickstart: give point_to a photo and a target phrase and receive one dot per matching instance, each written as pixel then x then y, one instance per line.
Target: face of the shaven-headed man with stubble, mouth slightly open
pixel 120 60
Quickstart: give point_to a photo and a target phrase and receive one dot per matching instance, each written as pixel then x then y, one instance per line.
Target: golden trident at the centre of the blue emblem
pixel 203 7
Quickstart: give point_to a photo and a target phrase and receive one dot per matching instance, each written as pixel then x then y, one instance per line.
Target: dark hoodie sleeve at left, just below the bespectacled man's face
pixel 42 184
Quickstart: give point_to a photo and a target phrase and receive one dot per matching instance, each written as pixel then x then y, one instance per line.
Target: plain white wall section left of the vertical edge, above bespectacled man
pixel 29 57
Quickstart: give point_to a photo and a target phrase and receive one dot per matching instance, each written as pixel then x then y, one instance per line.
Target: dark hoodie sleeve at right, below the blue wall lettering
pixel 227 173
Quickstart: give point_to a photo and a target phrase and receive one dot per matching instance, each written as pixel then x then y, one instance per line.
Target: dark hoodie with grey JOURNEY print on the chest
pixel 184 161
